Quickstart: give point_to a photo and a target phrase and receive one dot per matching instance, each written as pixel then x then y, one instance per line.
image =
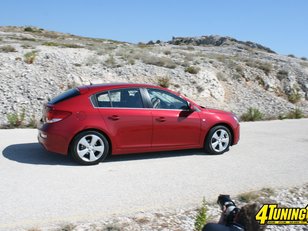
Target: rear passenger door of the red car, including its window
pixel 126 119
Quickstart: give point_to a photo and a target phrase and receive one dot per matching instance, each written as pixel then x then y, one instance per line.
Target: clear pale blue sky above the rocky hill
pixel 281 25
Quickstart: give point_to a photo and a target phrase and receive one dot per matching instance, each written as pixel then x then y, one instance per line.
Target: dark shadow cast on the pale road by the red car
pixel 34 153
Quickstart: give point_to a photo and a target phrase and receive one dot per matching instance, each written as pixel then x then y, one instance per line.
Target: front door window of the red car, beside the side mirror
pixel 165 100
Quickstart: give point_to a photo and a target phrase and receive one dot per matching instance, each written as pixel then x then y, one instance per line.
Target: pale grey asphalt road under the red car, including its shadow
pixel 38 188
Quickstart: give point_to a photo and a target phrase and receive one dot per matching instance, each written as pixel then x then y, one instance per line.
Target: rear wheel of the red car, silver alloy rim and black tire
pixel 89 148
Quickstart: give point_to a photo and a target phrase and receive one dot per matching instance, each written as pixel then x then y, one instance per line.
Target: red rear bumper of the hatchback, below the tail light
pixel 52 141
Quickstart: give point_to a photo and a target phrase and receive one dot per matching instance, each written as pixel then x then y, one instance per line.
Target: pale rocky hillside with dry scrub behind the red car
pixel 215 71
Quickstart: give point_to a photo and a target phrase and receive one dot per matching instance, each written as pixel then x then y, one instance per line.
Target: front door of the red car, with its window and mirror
pixel 173 124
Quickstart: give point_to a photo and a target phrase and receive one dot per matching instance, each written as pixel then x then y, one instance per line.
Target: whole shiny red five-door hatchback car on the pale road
pixel 90 122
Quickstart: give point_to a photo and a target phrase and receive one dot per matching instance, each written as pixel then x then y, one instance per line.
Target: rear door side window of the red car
pixel 123 98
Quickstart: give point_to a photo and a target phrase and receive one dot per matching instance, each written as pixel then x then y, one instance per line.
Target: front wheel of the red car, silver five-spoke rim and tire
pixel 218 140
